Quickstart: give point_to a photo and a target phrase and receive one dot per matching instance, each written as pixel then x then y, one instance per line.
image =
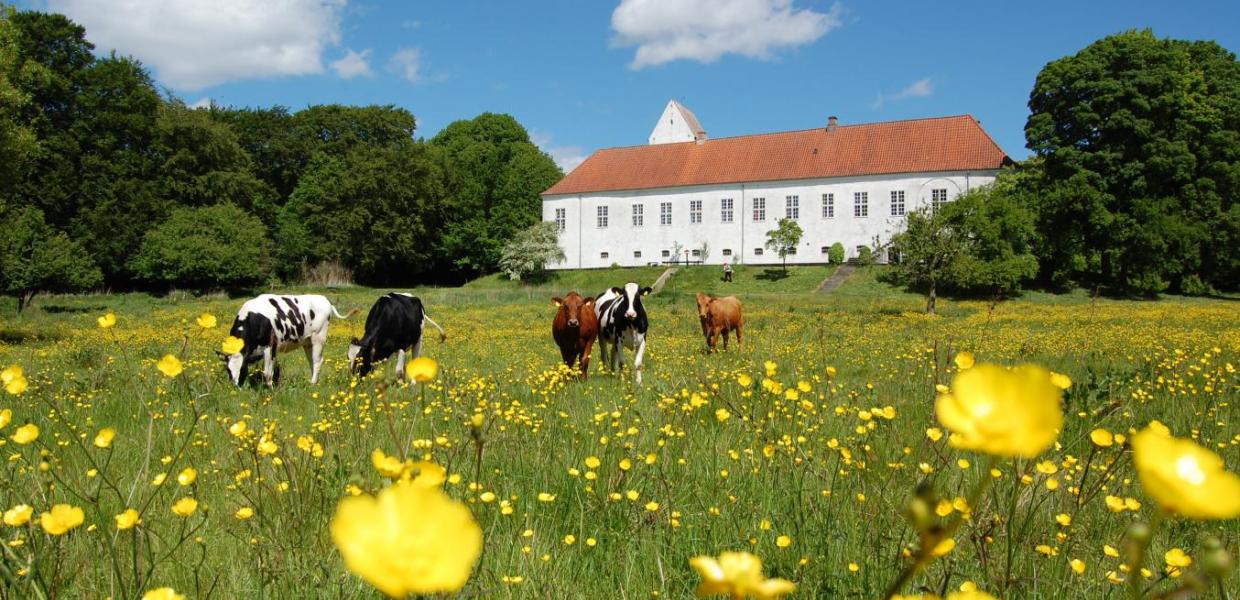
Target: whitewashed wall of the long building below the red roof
pixel 585 242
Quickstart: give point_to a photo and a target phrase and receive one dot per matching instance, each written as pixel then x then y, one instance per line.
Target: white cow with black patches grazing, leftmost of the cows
pixel 272 324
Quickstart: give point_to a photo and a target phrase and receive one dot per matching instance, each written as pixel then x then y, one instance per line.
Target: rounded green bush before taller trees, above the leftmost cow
pixel 211 247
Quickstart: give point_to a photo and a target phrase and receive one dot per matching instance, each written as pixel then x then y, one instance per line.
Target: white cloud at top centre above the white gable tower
pixel 705 30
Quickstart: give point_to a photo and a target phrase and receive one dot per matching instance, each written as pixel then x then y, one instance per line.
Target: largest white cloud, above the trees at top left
pixel 198 44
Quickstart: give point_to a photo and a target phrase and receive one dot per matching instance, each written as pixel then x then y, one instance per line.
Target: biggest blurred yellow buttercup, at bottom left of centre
pixel 409 540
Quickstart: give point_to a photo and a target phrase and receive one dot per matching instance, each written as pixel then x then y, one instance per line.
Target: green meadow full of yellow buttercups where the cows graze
pixel 852 448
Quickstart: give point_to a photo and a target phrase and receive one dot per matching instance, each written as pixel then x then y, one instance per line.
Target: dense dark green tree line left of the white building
pixel 149 192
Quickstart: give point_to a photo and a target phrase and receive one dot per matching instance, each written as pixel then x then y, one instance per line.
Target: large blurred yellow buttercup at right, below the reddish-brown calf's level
pixel 1003 412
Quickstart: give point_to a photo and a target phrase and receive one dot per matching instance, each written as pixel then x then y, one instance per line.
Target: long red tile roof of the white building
pixel 922 146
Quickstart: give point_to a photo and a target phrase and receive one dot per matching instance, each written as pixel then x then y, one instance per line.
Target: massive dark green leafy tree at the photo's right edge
pixel 1141 147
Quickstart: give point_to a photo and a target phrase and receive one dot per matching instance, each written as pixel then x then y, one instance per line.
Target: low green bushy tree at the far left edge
pixel 34 257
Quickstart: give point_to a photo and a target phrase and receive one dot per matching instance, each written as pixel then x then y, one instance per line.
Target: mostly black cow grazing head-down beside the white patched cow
pixel 392 328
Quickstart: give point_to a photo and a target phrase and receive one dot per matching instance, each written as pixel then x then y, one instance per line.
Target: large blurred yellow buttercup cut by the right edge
pixel 1185 478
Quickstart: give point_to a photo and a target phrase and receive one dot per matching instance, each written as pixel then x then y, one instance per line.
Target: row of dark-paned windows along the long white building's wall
pixel 792 209
